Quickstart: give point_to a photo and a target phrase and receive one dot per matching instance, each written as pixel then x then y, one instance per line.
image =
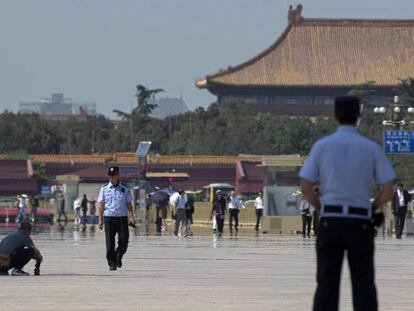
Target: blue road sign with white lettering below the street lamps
pixel 398 142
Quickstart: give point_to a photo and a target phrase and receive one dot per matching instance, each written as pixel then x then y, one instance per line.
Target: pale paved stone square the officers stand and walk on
pixel 196 273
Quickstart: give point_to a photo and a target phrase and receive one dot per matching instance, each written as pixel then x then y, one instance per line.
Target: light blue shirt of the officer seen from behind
pixel 346 164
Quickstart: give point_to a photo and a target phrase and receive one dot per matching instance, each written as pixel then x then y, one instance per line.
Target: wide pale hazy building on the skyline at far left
pixel 58 108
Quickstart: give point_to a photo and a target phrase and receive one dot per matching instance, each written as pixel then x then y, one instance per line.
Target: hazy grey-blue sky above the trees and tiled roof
pixel 98 50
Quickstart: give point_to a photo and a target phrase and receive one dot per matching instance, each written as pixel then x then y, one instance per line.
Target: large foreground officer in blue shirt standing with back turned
pixel 345 165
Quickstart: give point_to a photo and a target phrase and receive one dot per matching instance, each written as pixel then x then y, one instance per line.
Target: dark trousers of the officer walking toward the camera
pixel 113 226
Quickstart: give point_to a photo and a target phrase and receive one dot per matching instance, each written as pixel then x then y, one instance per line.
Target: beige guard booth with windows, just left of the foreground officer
pixel 281 181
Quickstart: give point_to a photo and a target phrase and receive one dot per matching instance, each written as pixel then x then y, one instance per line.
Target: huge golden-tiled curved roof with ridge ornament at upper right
pixel 315 52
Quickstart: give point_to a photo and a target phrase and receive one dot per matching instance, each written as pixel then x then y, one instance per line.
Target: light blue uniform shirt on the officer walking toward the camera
pixel 115 199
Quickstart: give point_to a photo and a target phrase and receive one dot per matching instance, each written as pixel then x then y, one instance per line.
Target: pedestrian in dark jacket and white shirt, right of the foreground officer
pixel 399 205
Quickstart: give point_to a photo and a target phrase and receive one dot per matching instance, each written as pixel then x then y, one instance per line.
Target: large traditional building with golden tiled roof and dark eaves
pixel 315 60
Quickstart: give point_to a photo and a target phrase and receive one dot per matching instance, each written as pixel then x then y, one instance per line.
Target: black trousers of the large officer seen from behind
pixel 356 237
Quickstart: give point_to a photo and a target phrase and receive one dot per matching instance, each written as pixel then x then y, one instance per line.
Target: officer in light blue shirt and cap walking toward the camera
pixel 114 205
